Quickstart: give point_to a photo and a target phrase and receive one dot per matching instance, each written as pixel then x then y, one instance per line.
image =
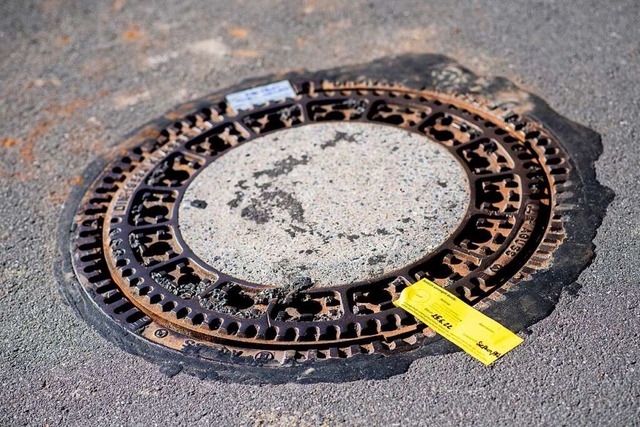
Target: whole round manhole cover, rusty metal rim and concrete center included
pixel 278 236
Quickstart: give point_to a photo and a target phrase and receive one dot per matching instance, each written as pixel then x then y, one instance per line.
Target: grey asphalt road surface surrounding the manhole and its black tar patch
pixel 77 76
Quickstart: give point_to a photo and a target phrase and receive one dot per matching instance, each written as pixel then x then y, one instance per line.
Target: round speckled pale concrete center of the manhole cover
pixel 333 202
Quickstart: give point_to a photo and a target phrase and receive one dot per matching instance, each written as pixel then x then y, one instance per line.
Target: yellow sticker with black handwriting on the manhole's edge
pixel 475 333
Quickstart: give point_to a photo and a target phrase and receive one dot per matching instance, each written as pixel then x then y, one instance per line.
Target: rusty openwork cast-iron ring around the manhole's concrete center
pixel 129 256
